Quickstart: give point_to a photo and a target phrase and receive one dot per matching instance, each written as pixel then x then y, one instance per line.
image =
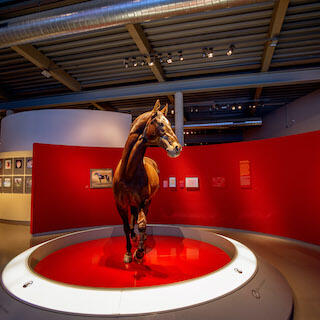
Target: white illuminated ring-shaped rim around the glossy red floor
pixel 22 282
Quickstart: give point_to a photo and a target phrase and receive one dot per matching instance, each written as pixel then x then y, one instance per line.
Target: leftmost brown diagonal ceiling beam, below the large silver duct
pixel 36 57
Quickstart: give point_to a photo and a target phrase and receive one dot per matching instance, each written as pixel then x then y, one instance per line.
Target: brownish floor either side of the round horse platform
pixel 298 262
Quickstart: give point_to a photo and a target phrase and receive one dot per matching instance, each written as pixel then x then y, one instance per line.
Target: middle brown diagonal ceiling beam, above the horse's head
pixel 137 34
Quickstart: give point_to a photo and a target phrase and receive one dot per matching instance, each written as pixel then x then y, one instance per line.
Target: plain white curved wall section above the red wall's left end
pixel 66 127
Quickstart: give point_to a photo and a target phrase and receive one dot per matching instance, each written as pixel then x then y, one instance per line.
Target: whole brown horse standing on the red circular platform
pixel 136 178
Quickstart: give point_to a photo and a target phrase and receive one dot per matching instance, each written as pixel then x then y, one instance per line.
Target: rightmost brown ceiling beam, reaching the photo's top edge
pixel 278 15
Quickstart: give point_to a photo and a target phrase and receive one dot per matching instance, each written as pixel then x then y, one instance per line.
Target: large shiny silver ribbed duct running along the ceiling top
pixel 100 14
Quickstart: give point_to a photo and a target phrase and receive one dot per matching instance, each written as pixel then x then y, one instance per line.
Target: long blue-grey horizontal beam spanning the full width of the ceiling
pixel 214 83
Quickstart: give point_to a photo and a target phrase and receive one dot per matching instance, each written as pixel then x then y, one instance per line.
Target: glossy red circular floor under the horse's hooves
pixel 99 263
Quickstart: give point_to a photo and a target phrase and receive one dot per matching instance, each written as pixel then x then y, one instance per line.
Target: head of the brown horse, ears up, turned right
pixel 158 131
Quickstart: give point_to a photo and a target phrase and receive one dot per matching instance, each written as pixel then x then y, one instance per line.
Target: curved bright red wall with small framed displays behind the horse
pixel 284 198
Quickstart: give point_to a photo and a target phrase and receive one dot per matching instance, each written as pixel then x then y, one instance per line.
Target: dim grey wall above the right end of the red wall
pixel 299 116
